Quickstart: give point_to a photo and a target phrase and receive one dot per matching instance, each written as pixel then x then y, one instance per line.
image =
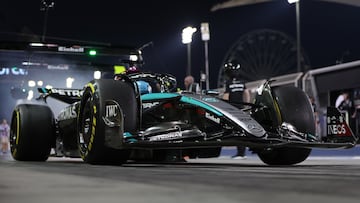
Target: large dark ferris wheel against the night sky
pixel 263 54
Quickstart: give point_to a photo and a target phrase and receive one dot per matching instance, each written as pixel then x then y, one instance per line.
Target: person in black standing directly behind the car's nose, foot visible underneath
pixel 236 93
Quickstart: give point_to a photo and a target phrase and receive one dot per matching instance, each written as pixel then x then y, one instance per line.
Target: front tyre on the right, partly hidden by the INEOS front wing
pixel 295 108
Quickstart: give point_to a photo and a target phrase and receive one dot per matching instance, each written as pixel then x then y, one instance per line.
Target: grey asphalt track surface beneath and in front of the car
pixel 221 180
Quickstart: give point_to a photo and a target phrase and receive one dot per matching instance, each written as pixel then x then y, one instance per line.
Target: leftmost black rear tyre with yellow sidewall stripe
pixel 32 132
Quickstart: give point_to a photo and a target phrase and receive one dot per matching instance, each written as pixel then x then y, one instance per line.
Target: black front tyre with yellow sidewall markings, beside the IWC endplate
pixel 93 131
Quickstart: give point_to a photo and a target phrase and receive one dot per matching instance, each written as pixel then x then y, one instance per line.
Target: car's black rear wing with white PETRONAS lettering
pixel 68 96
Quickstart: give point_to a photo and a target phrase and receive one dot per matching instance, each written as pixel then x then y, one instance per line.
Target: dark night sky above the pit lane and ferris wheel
pixel 329 31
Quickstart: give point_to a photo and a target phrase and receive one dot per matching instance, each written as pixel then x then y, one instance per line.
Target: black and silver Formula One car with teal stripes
pixel 115 121
